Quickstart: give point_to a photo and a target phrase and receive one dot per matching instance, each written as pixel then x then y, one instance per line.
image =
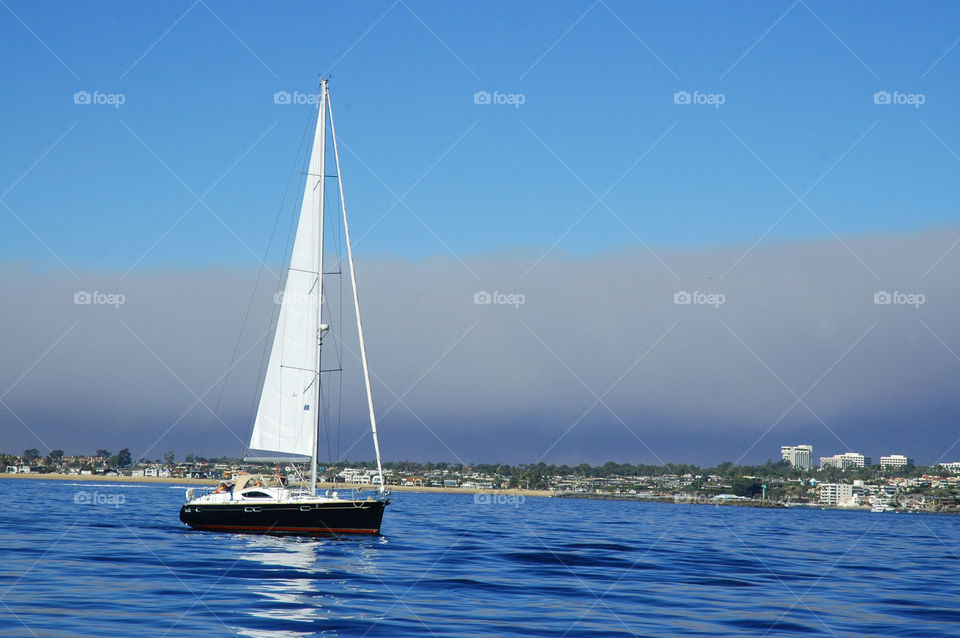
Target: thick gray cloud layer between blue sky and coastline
pixel 598 363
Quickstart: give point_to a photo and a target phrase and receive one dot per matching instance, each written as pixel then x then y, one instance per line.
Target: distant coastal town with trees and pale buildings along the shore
pixel 846 480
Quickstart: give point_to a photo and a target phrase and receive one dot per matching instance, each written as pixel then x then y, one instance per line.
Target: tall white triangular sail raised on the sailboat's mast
pixel 287 414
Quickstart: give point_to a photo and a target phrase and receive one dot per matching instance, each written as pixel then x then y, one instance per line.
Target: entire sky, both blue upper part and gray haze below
pixel 588 161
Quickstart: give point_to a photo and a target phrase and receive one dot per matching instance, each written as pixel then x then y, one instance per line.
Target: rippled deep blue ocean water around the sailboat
pixel 120 563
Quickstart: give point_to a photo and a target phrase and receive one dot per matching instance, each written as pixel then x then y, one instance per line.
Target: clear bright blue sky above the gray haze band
pixel 598 82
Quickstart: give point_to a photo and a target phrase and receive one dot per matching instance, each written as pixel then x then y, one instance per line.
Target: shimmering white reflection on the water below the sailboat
pixel 298 581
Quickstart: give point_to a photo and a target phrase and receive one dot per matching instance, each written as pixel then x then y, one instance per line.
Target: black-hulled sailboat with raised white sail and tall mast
pixel 288 414
